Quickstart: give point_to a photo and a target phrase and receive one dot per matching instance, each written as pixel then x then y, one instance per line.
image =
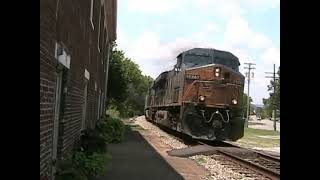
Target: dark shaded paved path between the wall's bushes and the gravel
pixel 135 159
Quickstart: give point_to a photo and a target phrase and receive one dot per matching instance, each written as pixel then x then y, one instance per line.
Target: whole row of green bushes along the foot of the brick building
pixel 90 158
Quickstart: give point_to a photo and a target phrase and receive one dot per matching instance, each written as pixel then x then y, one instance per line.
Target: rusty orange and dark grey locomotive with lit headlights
pixel 200 96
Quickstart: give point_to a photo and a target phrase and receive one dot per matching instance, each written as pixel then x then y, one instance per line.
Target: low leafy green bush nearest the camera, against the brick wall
pixel 93 164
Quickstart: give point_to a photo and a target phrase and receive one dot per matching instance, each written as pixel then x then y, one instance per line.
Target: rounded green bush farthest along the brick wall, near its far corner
pixel 112 129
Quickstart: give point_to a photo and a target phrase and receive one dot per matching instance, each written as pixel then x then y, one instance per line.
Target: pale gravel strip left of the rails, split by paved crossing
pixel 215 167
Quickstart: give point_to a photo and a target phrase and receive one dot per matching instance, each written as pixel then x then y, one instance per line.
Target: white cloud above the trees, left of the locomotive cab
pixel 151 55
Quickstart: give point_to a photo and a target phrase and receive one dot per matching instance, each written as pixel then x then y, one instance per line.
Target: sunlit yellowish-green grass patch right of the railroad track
pixel 252 138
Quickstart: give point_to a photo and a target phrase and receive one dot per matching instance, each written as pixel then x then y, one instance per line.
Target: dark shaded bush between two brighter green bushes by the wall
pixel 92 141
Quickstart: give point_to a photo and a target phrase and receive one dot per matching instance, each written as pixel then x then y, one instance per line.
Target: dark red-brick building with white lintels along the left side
pixel 75 46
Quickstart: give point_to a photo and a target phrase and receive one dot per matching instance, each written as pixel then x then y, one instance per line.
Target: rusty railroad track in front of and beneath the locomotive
pixel 252 164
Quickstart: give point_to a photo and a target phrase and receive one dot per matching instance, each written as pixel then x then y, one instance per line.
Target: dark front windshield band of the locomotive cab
pixel 192 60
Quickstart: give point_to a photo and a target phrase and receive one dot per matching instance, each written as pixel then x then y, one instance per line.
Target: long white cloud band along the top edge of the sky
pixel 222 8
